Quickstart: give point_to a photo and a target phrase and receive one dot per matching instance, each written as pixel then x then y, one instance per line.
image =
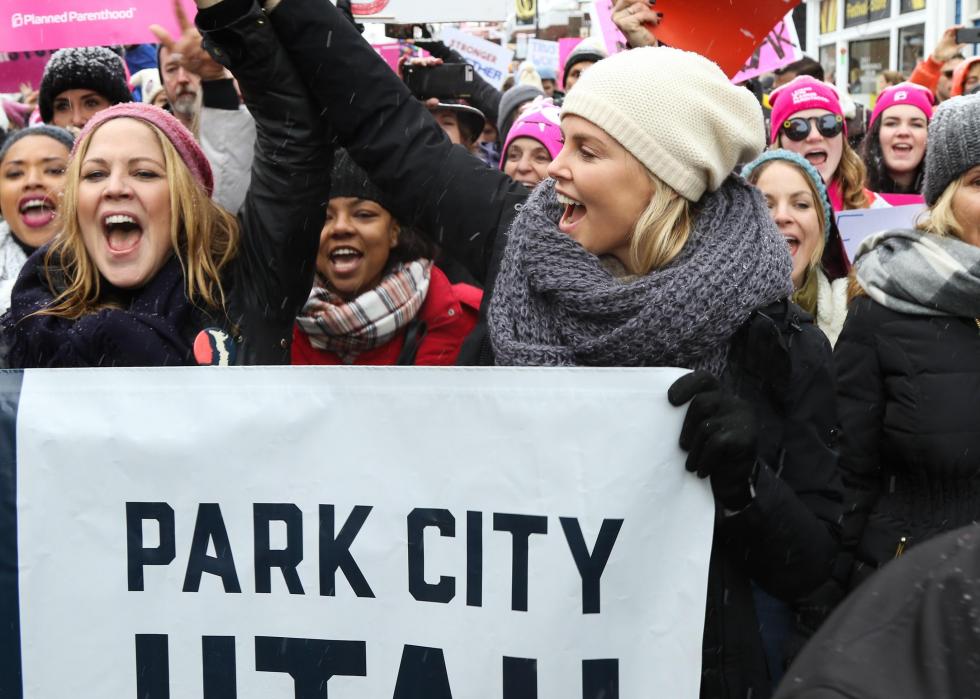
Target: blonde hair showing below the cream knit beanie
pixel 662 229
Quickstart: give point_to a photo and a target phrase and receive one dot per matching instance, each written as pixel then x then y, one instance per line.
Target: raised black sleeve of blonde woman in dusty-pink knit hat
pixel 282 215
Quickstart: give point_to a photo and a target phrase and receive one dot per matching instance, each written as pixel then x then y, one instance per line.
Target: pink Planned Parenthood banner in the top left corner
pixel 30 25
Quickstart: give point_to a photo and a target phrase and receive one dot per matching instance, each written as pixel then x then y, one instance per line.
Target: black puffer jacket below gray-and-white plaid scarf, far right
pixel 908 389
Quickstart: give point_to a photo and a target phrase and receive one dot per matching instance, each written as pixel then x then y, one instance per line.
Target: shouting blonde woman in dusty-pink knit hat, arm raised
pixel 147 269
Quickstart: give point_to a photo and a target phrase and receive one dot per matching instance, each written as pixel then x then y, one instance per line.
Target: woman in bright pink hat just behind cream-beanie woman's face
pixel 532 143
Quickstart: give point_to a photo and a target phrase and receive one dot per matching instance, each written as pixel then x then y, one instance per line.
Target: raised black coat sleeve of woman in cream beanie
pixel 441 189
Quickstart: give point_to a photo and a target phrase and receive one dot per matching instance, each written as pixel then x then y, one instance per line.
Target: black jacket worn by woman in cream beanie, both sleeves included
pixel 786 540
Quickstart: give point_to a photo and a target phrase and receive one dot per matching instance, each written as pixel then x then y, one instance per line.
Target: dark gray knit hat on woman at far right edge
pixel 954 144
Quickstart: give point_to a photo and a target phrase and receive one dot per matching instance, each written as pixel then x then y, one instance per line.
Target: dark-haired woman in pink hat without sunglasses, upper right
pixel 894 149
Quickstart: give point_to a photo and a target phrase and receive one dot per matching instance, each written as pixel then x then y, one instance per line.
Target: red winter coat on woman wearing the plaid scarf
pixel 450 312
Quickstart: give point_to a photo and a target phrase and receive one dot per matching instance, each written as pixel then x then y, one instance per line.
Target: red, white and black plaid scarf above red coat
pixel 348 328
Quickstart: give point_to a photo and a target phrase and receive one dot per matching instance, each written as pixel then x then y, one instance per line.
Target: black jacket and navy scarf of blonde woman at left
pixel 265 284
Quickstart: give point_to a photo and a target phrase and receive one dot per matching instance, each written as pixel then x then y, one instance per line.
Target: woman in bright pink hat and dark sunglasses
pixel 807 119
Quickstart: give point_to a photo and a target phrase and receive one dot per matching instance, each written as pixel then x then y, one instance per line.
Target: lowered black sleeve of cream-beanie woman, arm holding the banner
pixel 788 537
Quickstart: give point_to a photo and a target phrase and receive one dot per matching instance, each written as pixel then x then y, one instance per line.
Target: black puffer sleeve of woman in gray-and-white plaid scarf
pixel 861 402
